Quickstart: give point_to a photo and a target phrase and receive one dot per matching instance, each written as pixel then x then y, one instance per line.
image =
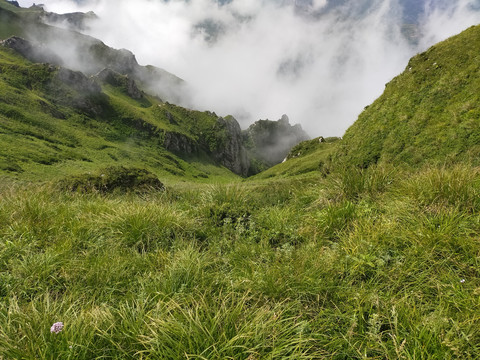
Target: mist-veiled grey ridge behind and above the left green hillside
pixel 85 53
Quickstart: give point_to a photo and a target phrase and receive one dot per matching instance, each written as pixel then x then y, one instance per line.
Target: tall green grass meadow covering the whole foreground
pixel 306 267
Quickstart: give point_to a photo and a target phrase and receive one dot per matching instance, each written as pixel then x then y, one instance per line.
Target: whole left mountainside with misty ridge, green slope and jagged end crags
pixel 96 109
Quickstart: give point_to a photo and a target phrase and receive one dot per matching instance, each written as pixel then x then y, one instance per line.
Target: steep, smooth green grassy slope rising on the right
pixel 428 114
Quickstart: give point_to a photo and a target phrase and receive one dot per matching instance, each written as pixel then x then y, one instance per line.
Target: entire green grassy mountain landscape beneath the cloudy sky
pixel 135 226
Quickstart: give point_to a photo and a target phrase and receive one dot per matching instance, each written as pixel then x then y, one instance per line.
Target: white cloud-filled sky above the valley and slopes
pixel 258 59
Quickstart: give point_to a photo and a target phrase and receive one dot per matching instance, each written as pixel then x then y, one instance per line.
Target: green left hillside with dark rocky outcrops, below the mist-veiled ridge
pixel 56 121
